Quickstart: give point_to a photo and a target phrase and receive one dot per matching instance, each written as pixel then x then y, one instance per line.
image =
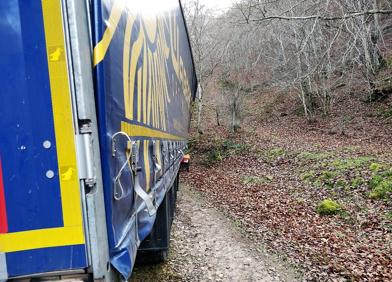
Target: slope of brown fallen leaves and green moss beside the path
pixel 273 176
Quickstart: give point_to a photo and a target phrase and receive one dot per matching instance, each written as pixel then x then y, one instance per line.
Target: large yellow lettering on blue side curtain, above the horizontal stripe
pixel 152 76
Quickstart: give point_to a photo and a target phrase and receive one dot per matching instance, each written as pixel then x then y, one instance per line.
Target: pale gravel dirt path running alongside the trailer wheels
pixel 206 246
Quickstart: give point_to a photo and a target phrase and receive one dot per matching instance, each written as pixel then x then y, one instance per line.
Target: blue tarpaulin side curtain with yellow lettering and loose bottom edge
pixel 145 82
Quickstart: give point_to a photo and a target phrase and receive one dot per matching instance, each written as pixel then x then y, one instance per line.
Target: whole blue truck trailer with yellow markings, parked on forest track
pixel 94 115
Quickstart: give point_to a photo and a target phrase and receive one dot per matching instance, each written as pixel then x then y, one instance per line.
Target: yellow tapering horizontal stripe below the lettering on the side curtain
pixel 142 131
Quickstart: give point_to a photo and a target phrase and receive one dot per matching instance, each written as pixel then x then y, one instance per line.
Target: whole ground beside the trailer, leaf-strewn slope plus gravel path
pixel 296 200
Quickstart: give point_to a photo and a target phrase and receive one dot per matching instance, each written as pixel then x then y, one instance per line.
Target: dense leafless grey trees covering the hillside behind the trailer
pixel 311 48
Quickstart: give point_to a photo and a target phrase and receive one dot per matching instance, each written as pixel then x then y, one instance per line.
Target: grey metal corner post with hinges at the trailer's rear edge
pixel 76 20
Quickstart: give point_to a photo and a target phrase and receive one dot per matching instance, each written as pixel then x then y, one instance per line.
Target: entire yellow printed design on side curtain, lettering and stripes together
pixel 153 71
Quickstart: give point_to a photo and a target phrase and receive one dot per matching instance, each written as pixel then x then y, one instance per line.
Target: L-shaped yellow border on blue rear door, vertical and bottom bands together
pixel 72 233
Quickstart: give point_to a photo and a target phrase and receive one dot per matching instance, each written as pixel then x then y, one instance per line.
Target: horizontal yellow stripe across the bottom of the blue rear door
pixel 43 238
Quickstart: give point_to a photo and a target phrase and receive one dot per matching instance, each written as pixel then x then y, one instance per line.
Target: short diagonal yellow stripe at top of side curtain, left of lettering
pixel 101 48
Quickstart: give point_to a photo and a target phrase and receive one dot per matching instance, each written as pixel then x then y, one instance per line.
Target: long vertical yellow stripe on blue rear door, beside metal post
pixel 62 115
